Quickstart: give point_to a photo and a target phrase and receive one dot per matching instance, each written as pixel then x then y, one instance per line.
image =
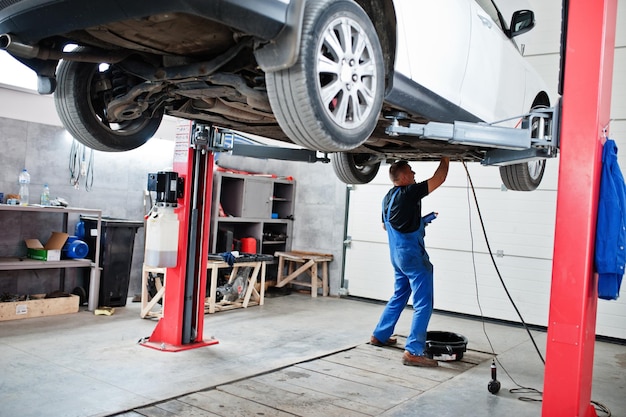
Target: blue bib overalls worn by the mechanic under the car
pixel 413 273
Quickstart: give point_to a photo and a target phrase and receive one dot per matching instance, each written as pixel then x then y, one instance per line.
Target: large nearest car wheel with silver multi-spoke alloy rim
pixel 334 107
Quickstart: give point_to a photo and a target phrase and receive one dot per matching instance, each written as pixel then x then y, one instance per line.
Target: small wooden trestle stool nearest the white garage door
pixel 309 261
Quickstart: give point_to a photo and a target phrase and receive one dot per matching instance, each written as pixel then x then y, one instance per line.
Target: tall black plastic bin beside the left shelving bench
pixel 116 256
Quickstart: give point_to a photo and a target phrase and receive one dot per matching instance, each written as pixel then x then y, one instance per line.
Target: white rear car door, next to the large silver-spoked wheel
pixel 433 44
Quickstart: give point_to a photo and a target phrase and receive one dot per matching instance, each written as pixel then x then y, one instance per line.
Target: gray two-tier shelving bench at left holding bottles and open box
pixel 13 263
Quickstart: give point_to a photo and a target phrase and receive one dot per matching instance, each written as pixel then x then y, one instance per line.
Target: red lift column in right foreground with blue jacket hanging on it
pixel 586 102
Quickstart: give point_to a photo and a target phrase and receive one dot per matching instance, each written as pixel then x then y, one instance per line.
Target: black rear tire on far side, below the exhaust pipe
pixel 82 112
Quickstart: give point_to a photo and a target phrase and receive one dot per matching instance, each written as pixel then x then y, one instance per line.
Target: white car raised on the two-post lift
pixel 329 75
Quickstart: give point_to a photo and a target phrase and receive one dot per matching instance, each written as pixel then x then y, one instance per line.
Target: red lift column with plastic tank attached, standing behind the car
pixel 182 324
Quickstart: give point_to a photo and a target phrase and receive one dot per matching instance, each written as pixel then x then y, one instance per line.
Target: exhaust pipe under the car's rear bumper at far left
pixel 15 47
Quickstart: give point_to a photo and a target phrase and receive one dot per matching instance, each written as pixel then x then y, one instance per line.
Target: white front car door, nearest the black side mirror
pixel 494 84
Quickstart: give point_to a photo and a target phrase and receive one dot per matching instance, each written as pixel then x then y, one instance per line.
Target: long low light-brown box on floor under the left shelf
pixel 38 306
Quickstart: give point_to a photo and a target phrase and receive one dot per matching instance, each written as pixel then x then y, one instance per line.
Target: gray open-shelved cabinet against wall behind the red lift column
pixel 250 206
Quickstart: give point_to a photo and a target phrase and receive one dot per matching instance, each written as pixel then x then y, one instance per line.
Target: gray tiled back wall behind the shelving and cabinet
pixel 118 190
